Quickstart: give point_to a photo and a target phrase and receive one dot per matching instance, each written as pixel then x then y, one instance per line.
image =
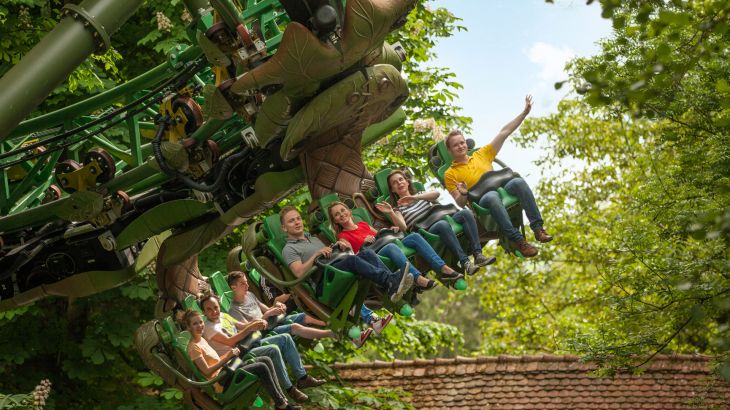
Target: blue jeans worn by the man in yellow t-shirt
pixel 519 188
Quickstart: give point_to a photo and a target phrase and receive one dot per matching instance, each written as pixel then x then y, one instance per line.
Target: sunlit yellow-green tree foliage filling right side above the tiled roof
pixel 636 187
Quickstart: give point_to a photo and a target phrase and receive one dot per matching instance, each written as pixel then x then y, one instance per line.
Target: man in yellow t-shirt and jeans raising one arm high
pixel 466 170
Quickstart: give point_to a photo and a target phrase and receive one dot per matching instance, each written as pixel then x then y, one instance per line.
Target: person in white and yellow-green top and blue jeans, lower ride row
pixel 223 332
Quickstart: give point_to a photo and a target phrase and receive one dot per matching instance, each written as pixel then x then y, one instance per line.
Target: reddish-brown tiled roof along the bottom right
pixel 544 382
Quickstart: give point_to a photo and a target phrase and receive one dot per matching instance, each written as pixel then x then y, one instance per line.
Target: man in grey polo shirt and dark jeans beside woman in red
pixel 302 249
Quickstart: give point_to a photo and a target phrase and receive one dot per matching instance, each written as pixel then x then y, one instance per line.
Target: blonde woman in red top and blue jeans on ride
pixel 362 234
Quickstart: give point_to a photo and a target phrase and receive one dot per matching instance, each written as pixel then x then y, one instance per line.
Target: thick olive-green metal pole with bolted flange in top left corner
pixel 85 29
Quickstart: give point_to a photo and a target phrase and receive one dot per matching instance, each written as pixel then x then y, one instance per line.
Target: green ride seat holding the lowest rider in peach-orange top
pixel 243 387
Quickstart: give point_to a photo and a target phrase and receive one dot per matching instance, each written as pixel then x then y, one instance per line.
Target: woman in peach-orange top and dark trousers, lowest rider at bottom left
pixel 207 360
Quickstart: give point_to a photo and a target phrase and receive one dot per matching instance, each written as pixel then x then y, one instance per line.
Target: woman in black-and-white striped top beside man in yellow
pixel 414 205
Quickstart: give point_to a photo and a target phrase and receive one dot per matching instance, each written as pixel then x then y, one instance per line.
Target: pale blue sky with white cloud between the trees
pixel 513 48
